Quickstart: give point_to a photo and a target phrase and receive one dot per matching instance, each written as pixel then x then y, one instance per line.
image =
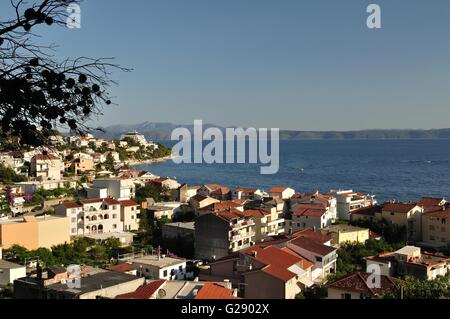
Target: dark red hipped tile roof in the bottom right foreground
pixel 358 282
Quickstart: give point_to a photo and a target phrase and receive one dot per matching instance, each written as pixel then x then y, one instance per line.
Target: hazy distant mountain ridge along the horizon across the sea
pixel 163 131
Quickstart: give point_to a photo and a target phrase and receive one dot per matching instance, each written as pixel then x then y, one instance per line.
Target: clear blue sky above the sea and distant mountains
pixel 292 64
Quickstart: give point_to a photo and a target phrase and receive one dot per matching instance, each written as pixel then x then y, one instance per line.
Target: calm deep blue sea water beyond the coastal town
pixel 391 169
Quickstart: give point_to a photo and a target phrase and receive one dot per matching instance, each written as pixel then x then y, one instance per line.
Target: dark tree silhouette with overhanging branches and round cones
pixel 38 93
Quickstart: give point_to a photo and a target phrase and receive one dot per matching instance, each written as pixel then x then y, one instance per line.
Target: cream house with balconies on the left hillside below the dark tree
pixel 46 167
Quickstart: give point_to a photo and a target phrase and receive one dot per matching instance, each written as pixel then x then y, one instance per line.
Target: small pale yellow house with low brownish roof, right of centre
pixel 342 234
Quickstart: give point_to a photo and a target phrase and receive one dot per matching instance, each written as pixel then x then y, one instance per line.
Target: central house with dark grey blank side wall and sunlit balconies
pixel 221 233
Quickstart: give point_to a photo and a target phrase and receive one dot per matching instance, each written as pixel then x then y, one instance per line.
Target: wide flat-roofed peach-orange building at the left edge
pixel 35 232
